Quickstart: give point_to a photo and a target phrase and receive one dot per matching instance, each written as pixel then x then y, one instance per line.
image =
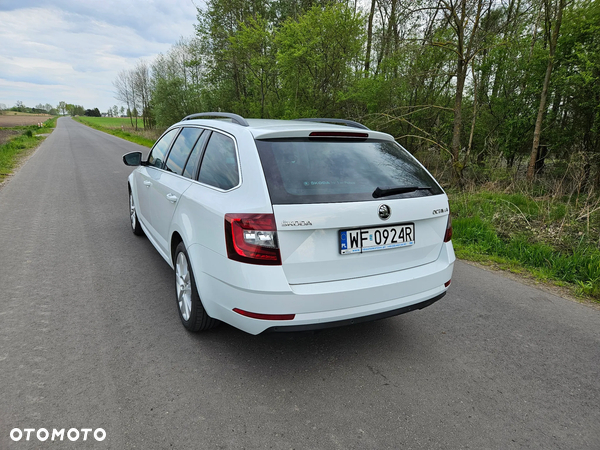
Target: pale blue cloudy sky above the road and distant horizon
pixel 72 50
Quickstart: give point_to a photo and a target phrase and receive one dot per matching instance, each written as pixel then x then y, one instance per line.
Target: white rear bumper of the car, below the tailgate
pixel 224 285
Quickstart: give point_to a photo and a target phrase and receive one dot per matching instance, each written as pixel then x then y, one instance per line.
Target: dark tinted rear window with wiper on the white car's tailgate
pixel 339 170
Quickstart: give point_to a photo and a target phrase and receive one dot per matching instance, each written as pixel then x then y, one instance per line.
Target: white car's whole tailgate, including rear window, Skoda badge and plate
pixel 348 208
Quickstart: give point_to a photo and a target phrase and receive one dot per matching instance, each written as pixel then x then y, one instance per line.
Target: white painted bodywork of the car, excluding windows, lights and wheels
pixel 314 285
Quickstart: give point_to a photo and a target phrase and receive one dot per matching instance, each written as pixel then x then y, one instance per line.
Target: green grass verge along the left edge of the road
pixel 11 151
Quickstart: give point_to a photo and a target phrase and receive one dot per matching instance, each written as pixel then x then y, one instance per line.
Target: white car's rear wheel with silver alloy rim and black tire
pixel 191 312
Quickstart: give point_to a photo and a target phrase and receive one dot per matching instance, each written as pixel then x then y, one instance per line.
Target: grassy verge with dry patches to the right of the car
pixel 543 236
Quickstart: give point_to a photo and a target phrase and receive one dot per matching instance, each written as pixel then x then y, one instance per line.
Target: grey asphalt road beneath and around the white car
pixel 90 338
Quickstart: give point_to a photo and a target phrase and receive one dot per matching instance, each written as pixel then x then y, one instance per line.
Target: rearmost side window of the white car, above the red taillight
pixel 219 166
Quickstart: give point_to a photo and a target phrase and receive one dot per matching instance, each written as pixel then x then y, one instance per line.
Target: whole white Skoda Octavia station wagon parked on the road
pixel 287 225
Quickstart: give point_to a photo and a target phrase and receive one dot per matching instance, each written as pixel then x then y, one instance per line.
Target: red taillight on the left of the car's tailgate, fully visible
pixel 252 238
